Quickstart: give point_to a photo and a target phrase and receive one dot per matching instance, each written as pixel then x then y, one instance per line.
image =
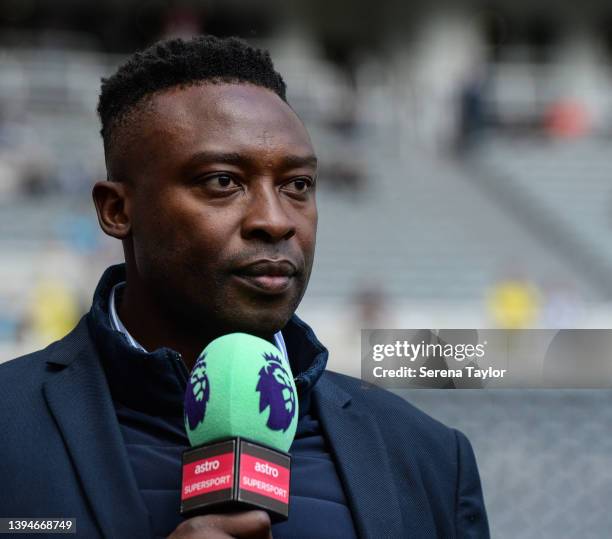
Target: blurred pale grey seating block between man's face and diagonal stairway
pixel 422 229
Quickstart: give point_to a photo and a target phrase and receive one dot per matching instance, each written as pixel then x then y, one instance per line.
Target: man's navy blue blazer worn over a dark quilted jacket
pixel 62 454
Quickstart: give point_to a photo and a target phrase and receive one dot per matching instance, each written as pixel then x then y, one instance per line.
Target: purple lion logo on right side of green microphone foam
pixel 276 392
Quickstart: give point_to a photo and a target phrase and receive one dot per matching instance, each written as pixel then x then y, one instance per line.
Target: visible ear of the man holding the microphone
pixel 113 208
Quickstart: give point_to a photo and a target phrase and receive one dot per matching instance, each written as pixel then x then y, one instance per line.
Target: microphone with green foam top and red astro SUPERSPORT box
pixel 241 413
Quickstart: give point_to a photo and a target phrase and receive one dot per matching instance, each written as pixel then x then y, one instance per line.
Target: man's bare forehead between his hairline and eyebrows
pixel 241 117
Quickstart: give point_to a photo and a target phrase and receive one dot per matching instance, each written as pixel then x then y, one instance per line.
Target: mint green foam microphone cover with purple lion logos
pixel 241 385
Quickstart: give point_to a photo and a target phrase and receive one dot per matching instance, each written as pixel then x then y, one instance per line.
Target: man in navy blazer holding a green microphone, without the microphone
pixel 211 189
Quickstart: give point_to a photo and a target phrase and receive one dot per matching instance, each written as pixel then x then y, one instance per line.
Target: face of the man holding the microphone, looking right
pixel 222 206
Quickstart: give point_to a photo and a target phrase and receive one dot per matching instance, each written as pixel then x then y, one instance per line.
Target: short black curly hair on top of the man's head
pixel 179 62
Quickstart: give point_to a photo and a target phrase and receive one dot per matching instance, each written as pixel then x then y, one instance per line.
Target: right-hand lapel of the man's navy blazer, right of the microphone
pixel 363 463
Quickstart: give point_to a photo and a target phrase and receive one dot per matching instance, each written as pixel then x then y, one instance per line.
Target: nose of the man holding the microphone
pixel 266 219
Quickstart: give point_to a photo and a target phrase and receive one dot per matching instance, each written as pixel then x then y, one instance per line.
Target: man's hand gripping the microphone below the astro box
pixel 245 525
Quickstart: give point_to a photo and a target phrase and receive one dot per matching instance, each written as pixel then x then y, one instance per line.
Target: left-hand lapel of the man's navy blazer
pixel 79 399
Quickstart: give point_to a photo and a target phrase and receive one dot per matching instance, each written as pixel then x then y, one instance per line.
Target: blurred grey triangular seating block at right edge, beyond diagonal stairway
pixel 561 192
